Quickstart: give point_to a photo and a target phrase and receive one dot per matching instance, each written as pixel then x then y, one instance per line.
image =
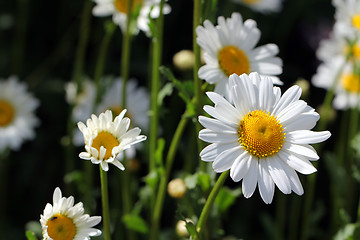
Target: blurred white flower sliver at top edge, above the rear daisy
pixel 263 6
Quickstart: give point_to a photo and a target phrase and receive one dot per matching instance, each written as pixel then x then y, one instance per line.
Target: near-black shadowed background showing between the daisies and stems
pixel 38 42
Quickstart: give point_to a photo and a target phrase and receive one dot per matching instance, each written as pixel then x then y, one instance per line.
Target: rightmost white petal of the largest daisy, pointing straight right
pixel 307 137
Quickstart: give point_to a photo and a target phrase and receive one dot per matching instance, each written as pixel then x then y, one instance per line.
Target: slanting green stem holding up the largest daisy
pixel 200 227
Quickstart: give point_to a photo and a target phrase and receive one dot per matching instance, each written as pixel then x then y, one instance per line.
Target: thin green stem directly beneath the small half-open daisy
pixel 105 203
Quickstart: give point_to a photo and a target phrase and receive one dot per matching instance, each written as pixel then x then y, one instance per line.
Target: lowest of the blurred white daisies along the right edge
pixel 340 75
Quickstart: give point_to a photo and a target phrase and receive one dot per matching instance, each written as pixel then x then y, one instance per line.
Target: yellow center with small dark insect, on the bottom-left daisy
pixel 61 227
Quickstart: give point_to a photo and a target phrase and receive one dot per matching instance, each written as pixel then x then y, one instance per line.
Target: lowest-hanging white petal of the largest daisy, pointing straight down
pixel 265 182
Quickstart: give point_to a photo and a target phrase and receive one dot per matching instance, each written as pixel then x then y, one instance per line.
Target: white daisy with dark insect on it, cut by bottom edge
pixel 64 220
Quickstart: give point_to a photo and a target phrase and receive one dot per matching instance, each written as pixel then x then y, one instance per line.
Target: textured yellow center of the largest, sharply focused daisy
pixel 261 134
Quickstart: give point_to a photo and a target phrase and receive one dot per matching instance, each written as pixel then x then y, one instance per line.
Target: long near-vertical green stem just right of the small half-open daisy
pixel 157 42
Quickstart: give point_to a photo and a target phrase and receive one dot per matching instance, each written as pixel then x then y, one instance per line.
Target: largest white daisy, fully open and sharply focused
pixel 262 137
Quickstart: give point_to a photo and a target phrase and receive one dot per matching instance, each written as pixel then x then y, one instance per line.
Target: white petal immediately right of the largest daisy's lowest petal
pixel 278 174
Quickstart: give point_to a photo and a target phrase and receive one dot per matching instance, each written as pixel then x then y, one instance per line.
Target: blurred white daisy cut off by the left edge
pixel 17 117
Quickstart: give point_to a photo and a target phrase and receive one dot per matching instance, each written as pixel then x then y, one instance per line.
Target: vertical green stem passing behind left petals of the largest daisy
pixel 197 82
